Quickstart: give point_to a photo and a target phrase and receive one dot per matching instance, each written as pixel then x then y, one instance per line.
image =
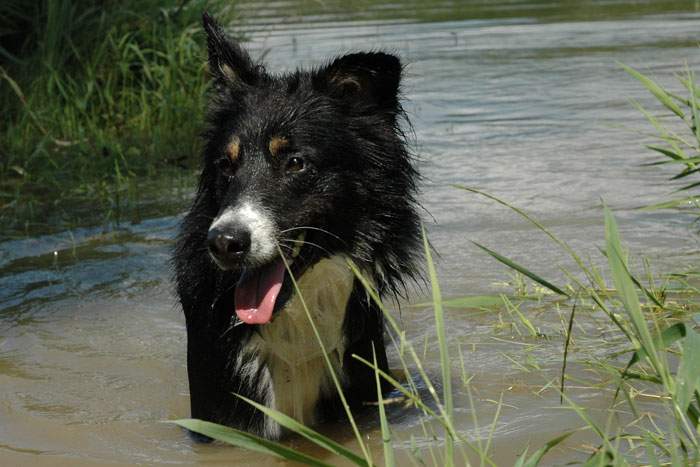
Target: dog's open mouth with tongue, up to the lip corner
pixel 262 291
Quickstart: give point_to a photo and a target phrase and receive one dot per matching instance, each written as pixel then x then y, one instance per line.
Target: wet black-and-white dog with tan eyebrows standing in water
pixel 303 173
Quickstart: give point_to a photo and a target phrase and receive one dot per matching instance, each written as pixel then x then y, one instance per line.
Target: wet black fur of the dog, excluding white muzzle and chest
pixel 344 119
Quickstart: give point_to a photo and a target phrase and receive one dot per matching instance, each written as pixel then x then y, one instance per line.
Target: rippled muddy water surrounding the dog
pixel 522 99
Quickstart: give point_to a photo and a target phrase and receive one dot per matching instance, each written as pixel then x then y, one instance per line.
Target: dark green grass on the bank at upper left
pixel 97 97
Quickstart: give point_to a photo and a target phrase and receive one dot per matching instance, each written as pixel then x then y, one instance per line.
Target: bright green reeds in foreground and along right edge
pixel 654 323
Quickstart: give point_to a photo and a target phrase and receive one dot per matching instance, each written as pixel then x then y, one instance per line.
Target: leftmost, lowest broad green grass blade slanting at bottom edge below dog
pixel 248 441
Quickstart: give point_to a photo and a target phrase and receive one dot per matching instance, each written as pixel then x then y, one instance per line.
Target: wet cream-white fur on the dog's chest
pixel 296 372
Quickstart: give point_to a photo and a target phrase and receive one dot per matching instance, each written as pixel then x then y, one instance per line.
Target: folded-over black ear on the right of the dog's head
pixel 370 78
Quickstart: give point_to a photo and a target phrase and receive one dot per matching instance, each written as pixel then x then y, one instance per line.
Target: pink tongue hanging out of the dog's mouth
pixel 256 294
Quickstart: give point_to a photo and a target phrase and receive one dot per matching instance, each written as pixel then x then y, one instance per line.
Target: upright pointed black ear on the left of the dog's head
pixel 229 63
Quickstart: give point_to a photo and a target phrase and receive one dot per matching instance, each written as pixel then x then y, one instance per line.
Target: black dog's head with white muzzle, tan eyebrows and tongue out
pixel 302 166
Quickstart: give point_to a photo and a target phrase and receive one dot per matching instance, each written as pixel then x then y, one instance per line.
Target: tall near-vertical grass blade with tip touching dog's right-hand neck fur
pixel 445 363
